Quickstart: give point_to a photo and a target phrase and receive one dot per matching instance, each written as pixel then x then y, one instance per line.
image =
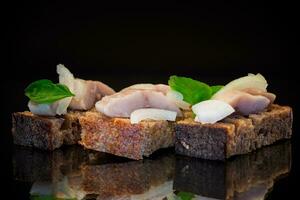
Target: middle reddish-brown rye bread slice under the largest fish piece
pixel 119 137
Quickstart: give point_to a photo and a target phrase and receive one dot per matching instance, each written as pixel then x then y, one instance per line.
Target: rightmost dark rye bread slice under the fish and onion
pixel 234 135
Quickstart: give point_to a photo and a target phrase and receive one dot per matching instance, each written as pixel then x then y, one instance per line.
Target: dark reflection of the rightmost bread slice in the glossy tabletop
pixel 244 177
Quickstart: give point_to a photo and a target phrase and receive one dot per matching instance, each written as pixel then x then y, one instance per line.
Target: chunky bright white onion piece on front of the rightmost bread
pixel 211 111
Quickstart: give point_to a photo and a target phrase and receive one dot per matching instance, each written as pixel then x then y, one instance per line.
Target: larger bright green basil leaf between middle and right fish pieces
pixel 193 91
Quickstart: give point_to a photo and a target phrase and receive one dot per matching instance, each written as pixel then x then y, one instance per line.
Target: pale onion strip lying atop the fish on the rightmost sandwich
pixel 251 81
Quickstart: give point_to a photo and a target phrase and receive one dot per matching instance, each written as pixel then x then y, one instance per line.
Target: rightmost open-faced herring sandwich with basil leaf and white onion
pixel 233 119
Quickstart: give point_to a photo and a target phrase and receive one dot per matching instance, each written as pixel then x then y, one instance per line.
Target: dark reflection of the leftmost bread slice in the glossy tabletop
pixel 35 165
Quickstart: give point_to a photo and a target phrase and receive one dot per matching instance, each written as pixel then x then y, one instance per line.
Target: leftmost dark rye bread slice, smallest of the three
pixel 44 132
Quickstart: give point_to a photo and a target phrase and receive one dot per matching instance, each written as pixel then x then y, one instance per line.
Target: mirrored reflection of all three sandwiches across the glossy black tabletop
pixel 74 173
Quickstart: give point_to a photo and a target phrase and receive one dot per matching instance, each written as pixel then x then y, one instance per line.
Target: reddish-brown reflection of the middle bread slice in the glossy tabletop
pixel 126 179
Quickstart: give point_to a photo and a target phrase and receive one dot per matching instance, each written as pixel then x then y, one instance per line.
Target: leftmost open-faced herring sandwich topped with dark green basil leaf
pixel 55 109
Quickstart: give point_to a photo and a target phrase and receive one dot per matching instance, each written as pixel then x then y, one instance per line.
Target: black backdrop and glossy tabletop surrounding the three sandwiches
pixel 122 44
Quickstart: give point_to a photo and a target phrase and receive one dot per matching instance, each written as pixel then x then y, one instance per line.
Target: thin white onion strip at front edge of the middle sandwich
pixel 152 113
